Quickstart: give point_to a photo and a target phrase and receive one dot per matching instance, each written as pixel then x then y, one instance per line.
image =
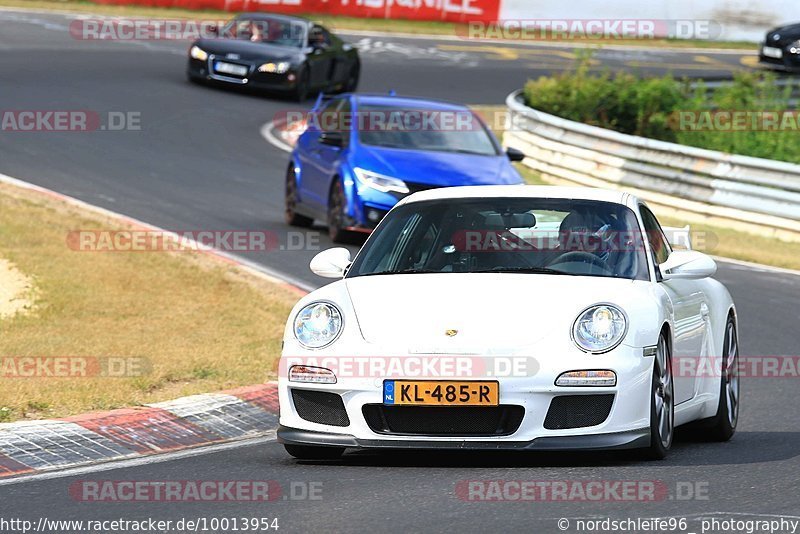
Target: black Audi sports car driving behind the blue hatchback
pixel 275 53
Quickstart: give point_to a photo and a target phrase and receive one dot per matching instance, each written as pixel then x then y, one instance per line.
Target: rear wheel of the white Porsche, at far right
pixel 722 426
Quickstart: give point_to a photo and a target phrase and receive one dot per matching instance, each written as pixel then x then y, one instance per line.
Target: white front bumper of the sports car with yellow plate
pixel 624 425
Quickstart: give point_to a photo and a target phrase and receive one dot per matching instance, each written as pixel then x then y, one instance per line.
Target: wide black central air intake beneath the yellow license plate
pixel 444 421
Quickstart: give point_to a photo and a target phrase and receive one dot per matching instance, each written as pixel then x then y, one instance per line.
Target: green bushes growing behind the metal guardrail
pixel 652 107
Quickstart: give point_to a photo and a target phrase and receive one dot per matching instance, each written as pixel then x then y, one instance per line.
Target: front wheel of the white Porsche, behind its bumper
pixel 662 403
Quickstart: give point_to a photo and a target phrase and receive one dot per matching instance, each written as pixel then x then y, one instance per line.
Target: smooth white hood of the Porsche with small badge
pixel 492 312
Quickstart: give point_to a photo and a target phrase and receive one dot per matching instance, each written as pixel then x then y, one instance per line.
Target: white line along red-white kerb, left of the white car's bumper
pixel 143 460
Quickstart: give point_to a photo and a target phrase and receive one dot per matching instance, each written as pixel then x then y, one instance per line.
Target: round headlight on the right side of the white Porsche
pixel 599 328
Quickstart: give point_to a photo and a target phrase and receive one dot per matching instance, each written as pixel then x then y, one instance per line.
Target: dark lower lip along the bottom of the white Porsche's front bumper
pixel 631 439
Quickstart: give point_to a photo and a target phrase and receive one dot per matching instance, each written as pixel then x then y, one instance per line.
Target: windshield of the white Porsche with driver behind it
pixel 520 235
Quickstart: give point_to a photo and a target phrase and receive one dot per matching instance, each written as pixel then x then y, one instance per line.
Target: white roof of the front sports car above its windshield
pixel 523 191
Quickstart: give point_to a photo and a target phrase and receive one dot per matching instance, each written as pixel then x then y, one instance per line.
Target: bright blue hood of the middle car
pixel 438 168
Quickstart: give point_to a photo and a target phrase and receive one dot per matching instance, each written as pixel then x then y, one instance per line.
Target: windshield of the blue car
pixel 458 131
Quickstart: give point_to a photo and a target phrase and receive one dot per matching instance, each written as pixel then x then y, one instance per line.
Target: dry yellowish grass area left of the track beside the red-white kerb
pixel 196 323
